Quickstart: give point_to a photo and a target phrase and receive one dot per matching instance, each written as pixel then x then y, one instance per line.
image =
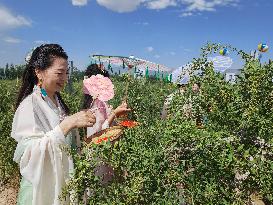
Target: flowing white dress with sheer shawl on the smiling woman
pixel 44 166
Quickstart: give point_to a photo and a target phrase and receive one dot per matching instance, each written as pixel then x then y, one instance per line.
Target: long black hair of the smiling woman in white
pixel 41 59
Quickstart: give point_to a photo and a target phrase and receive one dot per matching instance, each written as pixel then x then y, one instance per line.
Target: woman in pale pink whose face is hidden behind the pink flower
pixel 104 113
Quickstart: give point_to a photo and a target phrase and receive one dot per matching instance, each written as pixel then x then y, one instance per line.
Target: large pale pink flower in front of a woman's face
pixel 99 87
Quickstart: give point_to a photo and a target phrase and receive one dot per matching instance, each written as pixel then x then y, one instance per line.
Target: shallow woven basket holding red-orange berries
pixel 112 133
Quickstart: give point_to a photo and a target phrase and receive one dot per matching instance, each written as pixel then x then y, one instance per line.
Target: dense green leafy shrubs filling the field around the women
pixel 228 160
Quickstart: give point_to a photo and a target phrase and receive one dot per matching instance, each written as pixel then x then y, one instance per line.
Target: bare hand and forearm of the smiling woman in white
pixel 84 118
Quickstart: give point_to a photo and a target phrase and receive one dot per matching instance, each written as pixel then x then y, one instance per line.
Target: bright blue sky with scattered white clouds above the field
pixel 169 32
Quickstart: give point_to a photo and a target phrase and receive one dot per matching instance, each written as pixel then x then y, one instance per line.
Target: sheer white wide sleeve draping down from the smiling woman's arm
pixel 39 155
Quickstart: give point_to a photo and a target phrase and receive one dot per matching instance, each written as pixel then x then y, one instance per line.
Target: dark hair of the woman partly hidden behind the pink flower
pixel 92 69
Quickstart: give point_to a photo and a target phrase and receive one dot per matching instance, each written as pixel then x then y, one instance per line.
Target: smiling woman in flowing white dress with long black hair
pixel 42 127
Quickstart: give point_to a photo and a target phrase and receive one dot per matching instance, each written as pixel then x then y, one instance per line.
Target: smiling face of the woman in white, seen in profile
pixel 54 77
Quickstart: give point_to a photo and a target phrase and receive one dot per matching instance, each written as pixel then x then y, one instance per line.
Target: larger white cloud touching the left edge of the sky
pixel 9 20
